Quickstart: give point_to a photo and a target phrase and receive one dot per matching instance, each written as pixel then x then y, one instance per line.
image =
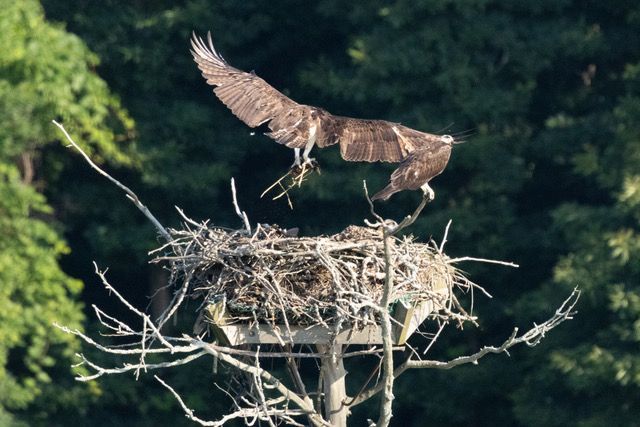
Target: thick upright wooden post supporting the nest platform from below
pixel 333 382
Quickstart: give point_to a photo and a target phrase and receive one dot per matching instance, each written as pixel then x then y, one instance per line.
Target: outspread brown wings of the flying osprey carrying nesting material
pixel 256 102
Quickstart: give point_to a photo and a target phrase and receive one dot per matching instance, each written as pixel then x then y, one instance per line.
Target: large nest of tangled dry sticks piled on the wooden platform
pixel 271 277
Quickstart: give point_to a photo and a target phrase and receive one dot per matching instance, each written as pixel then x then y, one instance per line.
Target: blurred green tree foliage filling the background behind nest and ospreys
pixel 550 179
